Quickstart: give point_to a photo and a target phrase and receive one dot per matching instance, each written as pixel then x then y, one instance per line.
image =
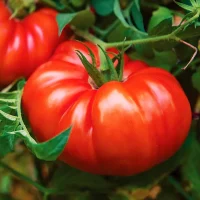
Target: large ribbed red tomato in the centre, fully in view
pixel 122 128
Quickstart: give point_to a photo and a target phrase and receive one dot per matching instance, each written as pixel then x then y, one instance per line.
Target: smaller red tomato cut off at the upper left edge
pixel 25 44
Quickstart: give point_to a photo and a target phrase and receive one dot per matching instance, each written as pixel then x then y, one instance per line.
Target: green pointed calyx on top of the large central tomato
pixel 107 71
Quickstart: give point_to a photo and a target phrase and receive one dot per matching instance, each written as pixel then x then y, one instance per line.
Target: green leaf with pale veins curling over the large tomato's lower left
pixel 13 128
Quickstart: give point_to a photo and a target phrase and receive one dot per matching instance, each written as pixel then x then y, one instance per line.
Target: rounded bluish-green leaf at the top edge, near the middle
pixel 103 7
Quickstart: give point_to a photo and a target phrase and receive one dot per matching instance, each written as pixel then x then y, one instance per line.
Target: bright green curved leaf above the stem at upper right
pixel 158 16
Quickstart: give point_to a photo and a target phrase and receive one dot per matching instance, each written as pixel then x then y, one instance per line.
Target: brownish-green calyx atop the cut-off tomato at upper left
pixel 21 8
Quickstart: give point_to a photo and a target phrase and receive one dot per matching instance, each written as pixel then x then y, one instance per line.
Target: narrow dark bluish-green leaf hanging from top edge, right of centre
pixel 137 16
